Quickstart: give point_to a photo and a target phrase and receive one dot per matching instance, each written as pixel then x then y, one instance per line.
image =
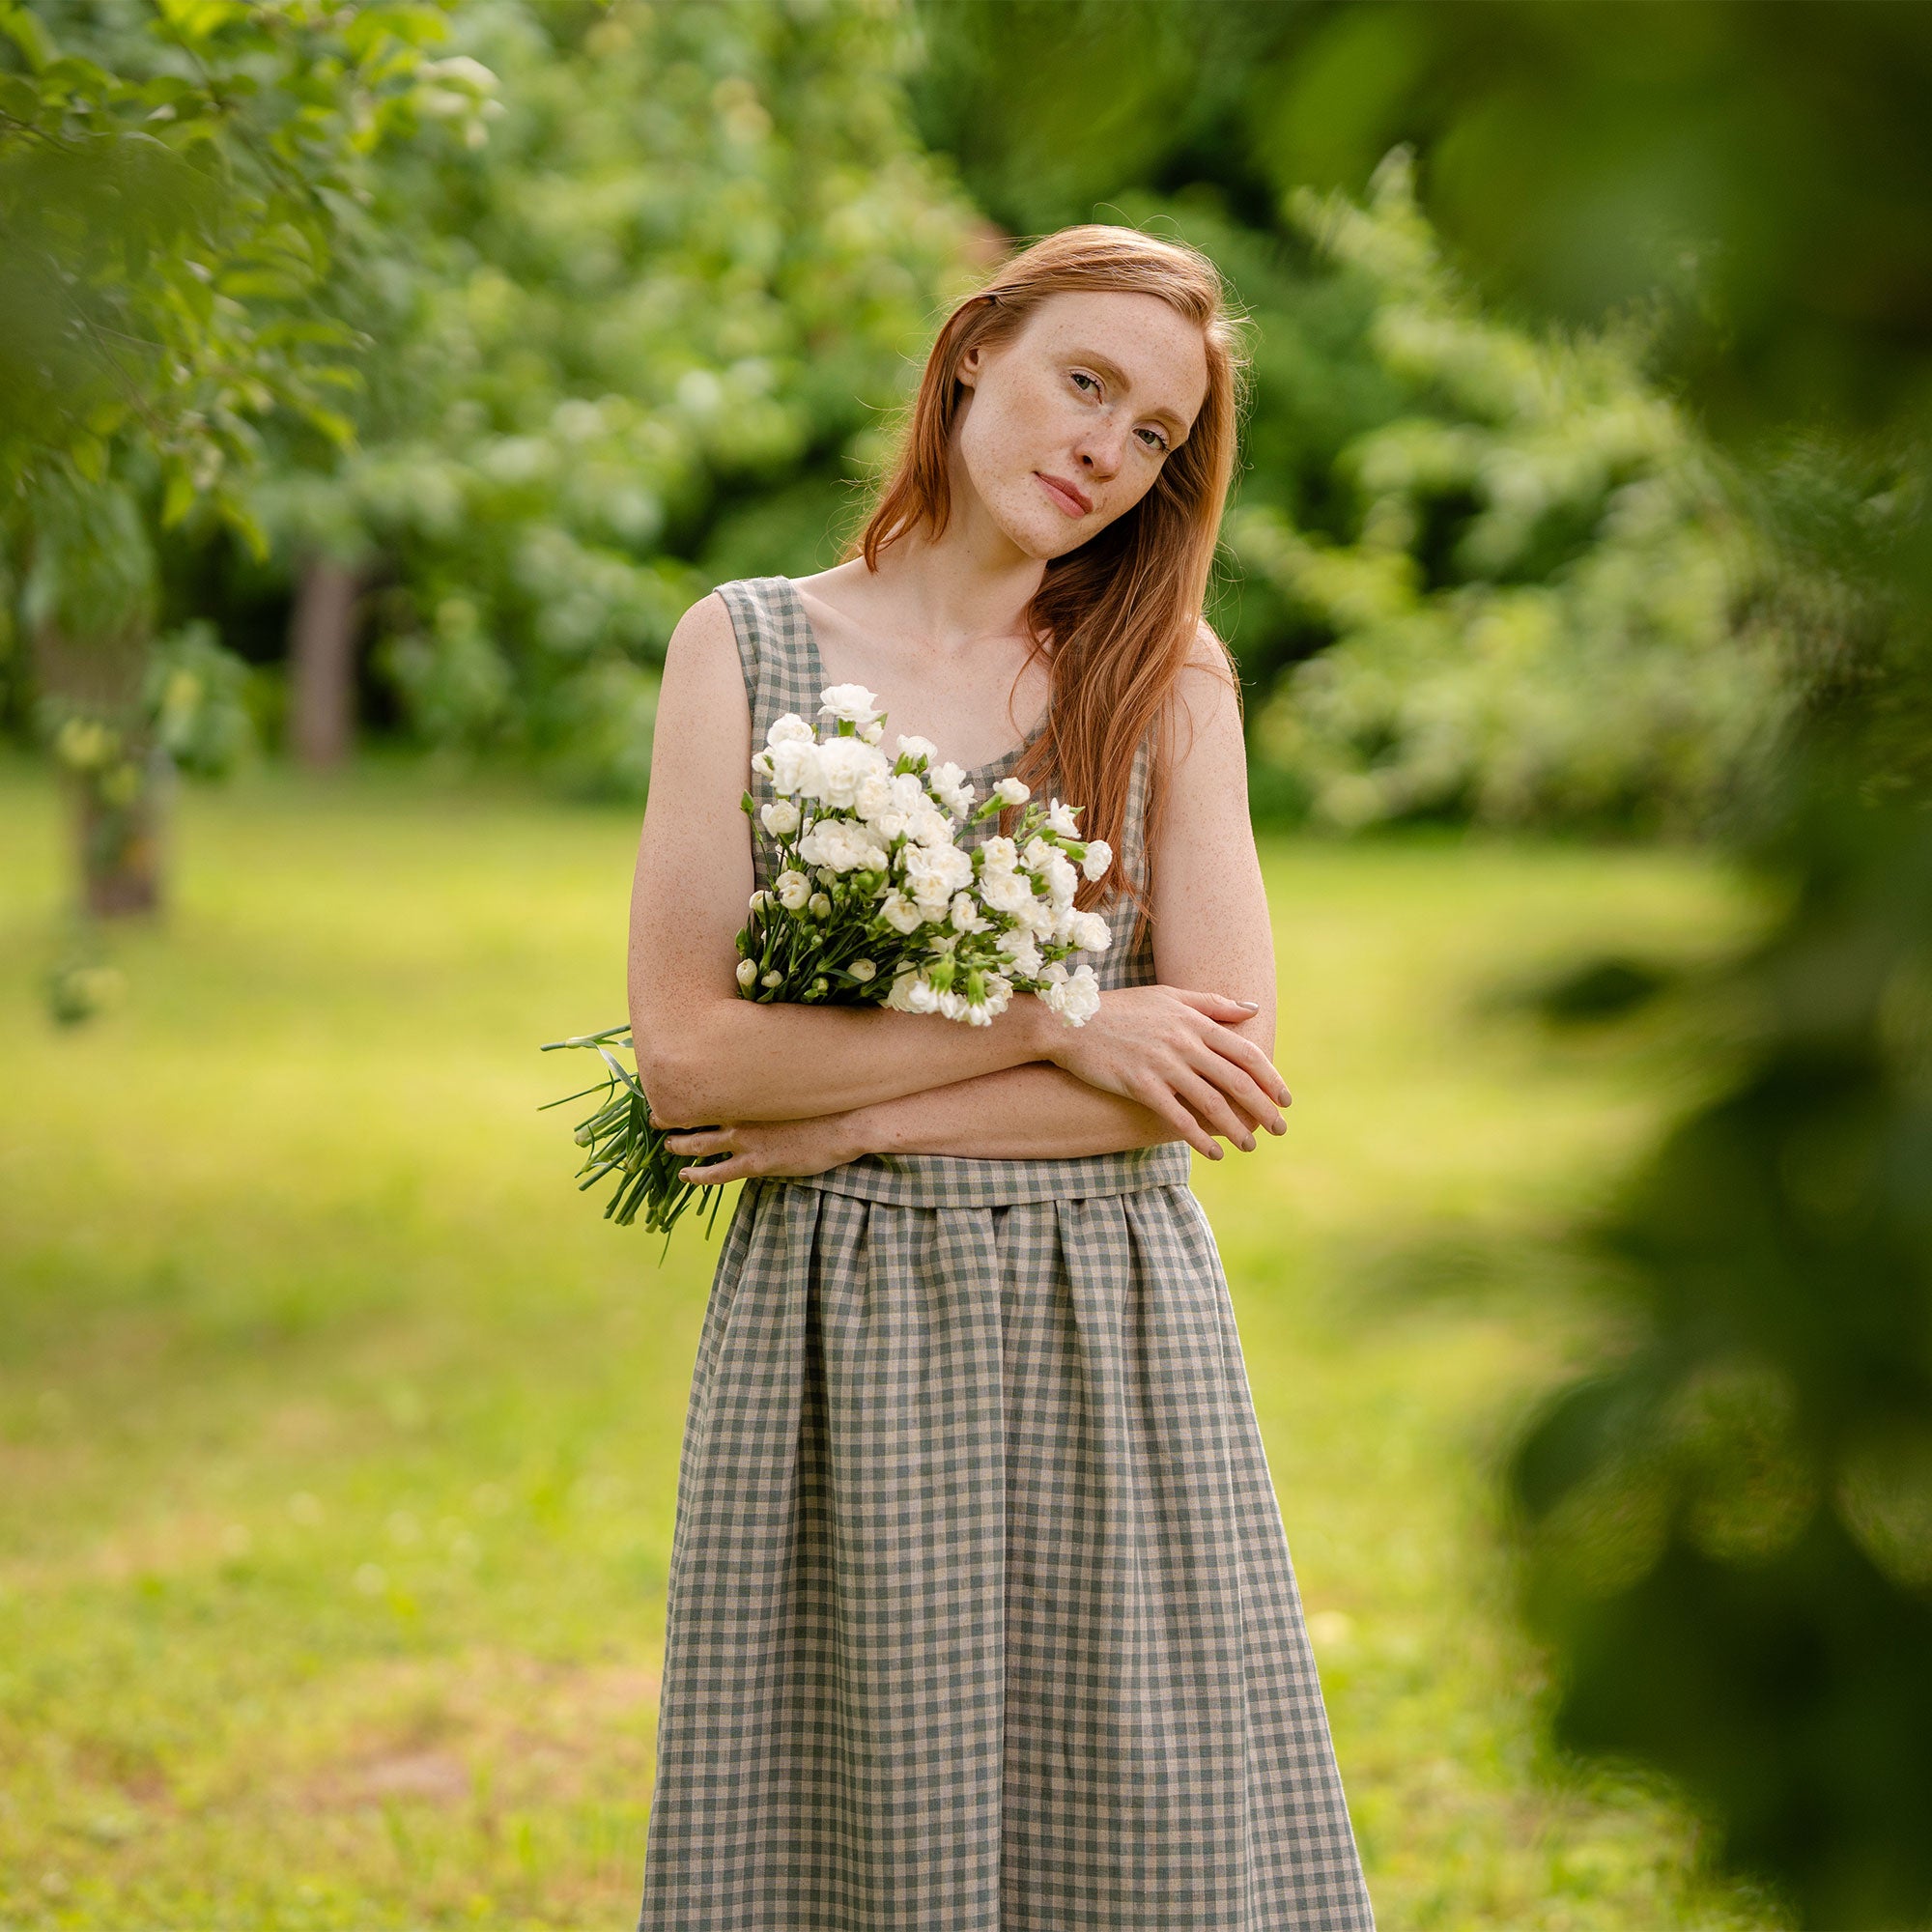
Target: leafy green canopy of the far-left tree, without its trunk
pixel 171 181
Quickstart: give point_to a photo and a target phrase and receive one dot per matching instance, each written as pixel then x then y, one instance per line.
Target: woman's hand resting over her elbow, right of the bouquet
pixel 1178 1052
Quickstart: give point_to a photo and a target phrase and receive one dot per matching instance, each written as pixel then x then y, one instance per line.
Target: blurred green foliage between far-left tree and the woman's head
pixel 683 279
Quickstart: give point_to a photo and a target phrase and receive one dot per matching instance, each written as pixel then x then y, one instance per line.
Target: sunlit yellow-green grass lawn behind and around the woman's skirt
pixel 339 1436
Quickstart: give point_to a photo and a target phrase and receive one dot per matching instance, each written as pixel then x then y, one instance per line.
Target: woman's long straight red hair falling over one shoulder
pixel 1118 619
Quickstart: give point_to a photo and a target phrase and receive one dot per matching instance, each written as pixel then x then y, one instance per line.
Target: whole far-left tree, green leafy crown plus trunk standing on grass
pixel 171 192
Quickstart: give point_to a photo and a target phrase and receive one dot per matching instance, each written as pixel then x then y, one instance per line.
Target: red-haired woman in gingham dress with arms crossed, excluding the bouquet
pixel 980 1610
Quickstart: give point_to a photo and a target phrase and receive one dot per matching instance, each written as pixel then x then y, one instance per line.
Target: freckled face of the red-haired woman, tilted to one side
pixel 1067 426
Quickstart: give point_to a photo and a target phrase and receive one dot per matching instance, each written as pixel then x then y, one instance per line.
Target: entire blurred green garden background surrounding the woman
pixel 382 382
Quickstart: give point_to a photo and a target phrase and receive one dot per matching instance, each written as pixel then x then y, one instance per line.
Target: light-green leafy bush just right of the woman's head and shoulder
pixel 1535 617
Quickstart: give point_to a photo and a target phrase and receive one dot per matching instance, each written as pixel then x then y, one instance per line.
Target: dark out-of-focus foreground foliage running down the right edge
pixel 1730 1525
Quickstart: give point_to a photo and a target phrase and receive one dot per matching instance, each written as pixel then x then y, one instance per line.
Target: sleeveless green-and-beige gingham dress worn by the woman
pixel 980 1610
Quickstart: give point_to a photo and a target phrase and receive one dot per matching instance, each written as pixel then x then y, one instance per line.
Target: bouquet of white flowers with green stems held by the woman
pixel 874 905
